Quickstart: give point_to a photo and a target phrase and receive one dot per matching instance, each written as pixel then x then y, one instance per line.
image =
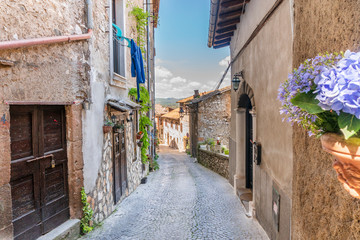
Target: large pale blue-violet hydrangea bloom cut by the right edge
pixel 338 88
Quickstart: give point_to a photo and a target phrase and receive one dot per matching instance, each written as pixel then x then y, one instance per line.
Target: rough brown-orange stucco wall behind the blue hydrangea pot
pixel 321 208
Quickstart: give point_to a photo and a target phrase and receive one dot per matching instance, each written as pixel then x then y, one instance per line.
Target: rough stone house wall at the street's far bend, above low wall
pixel 214 118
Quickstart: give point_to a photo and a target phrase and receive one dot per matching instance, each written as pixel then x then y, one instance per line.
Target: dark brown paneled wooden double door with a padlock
pixel 38 169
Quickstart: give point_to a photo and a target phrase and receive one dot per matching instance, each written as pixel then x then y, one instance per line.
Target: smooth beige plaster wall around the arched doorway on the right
pixel 266 62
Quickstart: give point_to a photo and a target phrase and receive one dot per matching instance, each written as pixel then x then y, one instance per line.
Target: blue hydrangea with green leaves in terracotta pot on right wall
pixel 323 95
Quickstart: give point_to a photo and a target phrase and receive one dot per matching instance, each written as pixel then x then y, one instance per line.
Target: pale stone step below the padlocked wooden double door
pixel 69 230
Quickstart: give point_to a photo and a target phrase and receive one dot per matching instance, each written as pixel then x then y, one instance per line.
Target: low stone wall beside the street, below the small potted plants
pixel 216 162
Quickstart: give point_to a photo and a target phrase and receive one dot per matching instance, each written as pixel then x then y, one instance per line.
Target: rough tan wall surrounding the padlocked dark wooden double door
pixel 46 73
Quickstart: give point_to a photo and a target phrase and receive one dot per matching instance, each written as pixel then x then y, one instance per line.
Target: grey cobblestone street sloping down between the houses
pixel 182 200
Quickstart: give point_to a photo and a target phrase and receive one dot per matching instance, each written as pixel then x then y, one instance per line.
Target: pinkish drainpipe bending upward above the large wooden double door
pixel 50 40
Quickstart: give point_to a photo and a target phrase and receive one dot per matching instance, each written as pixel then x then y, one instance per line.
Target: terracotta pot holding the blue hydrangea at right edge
pixel 347 160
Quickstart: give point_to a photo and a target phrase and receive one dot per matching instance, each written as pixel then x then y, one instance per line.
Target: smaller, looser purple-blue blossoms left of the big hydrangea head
pixel 302 80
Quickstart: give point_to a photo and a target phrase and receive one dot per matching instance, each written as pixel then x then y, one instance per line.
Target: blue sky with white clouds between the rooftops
pixel 183 60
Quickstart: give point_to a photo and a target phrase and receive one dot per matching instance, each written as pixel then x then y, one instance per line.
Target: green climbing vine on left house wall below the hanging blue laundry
pixel 144 121
